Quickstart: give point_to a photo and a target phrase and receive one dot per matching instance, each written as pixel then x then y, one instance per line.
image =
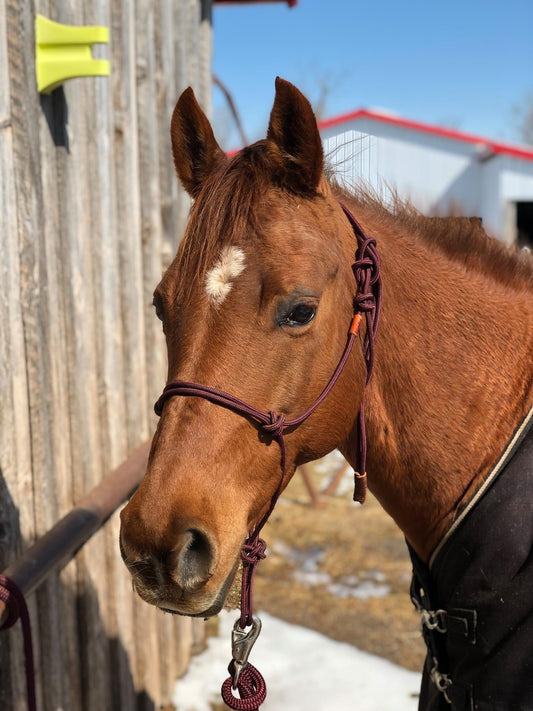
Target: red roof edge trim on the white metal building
pixel 494 147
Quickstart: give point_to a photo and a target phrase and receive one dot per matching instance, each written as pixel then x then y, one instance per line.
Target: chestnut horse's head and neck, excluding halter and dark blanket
pixel 258 302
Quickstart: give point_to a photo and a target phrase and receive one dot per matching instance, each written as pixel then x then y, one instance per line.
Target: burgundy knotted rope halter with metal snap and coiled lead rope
pixel 367 302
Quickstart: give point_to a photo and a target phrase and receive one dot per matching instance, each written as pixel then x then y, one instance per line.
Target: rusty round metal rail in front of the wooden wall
pixel 61 543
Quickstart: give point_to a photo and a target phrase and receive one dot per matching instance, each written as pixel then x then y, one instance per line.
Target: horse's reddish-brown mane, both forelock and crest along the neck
pixel 241 183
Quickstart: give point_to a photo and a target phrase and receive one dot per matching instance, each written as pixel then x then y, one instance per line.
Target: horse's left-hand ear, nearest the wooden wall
pixel 194 146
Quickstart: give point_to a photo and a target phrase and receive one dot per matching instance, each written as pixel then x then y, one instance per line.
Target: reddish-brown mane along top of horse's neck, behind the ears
pixel 460 239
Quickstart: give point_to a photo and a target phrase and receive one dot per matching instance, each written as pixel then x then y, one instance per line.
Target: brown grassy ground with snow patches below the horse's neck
pixel 341 569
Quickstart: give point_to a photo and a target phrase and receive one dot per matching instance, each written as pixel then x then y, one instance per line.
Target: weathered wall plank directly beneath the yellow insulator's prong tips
pixel 108 344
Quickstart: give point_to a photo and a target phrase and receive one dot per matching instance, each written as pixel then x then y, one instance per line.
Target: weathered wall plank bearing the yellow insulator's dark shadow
pixel 57 600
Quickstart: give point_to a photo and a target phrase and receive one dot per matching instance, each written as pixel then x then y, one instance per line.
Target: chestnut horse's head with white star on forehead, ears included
pixel 257 303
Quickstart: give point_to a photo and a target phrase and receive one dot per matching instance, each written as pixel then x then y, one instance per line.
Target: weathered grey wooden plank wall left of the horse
pixel 90 214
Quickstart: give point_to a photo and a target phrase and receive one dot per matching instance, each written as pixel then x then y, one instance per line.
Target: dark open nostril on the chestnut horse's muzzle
pixel 192 560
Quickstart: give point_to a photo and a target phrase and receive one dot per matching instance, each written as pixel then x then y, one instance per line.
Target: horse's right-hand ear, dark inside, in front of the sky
pixel 294 130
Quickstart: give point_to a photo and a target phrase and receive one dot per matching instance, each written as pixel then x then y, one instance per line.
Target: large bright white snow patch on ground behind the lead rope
pixel 303 670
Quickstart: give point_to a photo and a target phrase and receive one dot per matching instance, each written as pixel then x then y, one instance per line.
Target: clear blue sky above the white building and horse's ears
pixel 465 64
